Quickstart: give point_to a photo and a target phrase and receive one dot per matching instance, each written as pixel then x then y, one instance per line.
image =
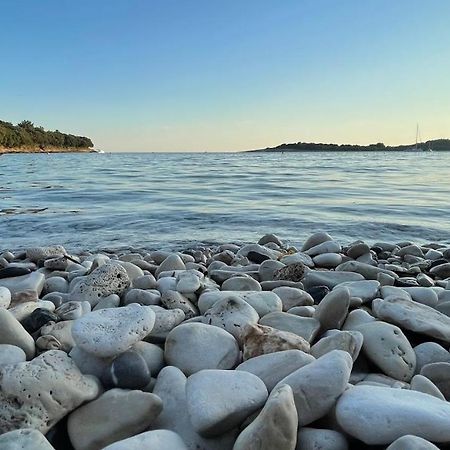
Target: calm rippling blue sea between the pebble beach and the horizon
pixel 156 200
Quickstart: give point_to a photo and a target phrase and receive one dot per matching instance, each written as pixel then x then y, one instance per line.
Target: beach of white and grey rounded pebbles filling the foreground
pixel 260 346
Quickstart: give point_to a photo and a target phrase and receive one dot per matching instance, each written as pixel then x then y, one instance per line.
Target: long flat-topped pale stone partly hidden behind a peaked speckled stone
pixel 262 302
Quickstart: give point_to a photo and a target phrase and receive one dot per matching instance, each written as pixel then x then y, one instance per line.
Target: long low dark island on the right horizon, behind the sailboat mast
pixel 434 145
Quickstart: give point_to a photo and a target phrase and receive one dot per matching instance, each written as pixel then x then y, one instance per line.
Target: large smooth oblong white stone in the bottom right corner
pixel 380 415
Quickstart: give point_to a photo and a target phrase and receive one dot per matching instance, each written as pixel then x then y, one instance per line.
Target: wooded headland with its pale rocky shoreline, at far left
pixel 25 137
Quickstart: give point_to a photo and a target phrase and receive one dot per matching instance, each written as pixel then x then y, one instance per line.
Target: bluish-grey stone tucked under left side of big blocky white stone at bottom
pixel 171 388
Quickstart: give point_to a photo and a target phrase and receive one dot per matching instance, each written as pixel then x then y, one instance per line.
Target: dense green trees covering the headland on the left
pixel 26 134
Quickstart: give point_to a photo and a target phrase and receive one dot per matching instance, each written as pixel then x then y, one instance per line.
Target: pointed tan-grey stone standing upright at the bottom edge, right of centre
pixel 276 425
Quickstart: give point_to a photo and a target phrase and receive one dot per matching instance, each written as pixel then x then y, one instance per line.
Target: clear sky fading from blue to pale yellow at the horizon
pixel 209 75
